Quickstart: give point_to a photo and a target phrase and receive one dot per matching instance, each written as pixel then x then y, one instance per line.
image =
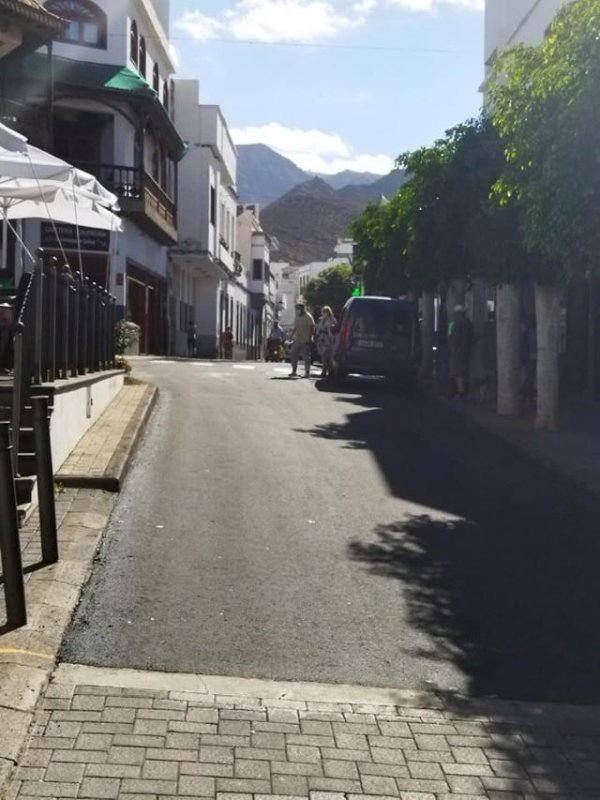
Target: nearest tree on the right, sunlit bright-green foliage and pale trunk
pixel 544 106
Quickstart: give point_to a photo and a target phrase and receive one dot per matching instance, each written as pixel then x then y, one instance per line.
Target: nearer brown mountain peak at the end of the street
pixel 308 220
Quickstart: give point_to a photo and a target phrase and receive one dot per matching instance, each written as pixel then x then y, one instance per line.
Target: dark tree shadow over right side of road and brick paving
pixel 501 572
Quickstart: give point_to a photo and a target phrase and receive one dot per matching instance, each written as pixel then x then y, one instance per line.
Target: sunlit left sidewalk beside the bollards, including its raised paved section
pixel 28 654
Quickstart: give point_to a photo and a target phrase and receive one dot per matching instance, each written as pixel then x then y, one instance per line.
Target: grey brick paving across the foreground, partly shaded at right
pixel 111 739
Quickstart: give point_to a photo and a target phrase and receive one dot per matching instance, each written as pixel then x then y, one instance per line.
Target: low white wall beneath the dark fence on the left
pixel 77 405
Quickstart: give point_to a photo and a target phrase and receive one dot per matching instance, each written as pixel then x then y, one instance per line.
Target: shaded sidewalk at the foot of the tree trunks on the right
pixel 572 452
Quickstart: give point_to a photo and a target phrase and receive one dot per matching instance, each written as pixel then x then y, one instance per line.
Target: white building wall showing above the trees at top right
pixel 512 22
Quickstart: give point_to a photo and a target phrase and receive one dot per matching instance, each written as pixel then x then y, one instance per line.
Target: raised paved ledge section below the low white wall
pixel 93 453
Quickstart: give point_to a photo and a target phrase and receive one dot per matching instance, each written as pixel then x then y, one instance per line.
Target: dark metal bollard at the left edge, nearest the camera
pixel 10 546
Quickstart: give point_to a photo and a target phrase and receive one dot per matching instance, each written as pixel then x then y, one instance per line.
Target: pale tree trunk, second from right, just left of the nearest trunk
pixel 507 348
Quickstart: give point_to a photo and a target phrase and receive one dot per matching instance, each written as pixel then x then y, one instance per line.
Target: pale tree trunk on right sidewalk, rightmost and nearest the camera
pixel 547 312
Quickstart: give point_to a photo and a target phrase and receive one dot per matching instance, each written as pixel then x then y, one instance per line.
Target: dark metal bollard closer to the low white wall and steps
pixel 45 476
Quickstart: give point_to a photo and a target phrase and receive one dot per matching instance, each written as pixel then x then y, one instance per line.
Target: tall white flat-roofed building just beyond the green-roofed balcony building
pixel 206 268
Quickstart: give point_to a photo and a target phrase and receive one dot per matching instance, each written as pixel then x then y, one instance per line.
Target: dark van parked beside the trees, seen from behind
pixel 378 336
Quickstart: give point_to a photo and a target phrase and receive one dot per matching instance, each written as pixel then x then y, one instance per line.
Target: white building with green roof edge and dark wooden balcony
pixel 112 115
